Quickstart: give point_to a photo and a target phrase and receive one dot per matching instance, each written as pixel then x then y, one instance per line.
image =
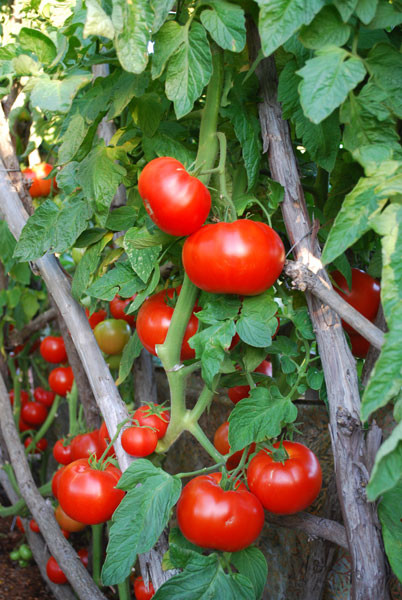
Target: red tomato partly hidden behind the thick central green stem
pixel 153 322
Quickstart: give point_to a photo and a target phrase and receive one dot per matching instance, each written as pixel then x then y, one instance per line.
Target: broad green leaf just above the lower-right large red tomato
pixel 262 415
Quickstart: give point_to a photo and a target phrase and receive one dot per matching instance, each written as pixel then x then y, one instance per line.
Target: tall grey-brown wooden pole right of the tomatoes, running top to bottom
pixel 369 577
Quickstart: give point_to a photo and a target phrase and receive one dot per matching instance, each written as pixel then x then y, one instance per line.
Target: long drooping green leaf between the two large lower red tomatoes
pixel 140 518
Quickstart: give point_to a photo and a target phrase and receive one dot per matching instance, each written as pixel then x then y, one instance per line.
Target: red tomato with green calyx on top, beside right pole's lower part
pixel 286 488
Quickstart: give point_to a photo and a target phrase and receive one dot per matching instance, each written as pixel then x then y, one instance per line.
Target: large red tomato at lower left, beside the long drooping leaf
pixel 89 495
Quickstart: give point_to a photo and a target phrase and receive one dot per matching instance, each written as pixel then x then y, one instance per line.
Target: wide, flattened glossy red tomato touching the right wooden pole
pixel 244 257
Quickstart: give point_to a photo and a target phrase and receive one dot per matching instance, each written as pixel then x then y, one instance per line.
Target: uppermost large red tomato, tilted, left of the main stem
pixel 177 202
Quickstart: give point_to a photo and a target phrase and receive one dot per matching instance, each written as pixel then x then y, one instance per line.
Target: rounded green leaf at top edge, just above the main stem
pixel 226 24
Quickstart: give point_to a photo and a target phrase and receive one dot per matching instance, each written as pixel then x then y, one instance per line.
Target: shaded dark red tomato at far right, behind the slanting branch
pixel 364 295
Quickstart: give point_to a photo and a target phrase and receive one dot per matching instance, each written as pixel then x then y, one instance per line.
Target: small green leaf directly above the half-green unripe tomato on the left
pixel 119 280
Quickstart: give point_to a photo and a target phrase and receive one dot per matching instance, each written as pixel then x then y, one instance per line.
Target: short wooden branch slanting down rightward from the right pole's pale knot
pixel 303 278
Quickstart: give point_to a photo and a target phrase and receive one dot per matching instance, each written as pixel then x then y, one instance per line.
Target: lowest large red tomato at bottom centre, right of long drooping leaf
pixel 212 518
